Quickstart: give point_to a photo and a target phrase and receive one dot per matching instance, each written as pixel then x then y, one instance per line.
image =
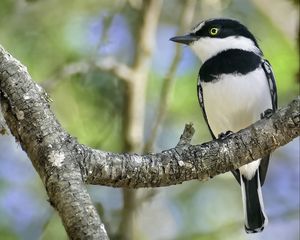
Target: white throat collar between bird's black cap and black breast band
pixel 207 47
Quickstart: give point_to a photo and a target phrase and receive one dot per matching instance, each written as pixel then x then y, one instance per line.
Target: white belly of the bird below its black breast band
pixel 234 102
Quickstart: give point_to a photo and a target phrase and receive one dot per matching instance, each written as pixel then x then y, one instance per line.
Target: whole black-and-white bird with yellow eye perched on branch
pixel 236 87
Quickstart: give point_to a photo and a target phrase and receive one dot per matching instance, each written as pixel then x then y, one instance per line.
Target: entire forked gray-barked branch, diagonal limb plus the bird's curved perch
pixel 65 166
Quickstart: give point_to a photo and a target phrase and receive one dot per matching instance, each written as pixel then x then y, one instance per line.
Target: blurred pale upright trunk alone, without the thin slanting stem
pixel 135 99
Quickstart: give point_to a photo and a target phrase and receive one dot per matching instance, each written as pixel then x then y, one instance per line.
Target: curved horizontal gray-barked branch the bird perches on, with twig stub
pixel 186 162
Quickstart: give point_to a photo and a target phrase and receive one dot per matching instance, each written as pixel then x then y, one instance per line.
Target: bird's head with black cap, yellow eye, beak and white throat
pixel 212 36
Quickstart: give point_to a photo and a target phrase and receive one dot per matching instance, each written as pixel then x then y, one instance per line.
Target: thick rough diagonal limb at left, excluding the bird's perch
pixel 53 153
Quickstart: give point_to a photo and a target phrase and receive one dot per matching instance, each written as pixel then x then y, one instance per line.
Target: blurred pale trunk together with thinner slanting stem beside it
pixel 135 99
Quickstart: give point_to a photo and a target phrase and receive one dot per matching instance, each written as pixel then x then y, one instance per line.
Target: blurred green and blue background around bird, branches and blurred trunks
pixel 49 35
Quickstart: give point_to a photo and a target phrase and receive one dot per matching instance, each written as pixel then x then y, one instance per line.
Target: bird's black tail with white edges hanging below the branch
pixel 255 218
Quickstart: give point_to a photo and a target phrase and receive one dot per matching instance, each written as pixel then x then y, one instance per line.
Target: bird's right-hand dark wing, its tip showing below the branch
pixel 273 91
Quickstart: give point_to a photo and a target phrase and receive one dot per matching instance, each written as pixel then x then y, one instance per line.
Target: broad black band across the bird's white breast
pixel 231 61
